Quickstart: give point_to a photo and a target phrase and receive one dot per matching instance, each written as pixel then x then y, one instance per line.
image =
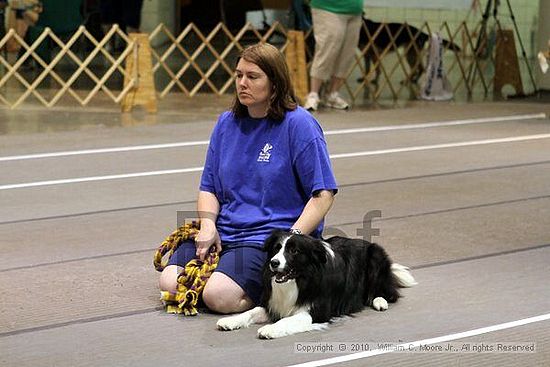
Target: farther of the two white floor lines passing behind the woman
pixel 327 133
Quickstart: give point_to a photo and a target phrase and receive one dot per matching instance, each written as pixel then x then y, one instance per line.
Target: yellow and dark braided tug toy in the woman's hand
pixel 192 279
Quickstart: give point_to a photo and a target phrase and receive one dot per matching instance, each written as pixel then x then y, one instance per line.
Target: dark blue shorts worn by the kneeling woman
pixel 242 262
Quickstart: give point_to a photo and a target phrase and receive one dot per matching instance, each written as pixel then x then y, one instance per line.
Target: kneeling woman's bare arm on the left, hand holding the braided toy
pixel 208 208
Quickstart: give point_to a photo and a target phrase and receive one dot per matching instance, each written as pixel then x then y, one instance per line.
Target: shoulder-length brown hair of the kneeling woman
pixel 273 64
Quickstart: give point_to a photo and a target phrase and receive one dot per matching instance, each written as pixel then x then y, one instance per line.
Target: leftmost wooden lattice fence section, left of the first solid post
pixel 15 88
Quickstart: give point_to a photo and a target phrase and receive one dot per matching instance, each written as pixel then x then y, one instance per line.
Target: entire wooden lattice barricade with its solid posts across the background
pixel 194 62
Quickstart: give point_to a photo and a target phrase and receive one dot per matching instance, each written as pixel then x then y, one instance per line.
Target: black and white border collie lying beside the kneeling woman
pixel 308 282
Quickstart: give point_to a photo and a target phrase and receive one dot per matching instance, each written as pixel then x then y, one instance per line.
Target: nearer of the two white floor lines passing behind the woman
pixel 334 156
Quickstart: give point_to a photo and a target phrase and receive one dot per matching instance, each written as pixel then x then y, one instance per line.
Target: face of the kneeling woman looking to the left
pixel 253 88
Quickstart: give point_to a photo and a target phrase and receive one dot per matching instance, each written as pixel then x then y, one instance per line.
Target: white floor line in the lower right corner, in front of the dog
pixel 430 341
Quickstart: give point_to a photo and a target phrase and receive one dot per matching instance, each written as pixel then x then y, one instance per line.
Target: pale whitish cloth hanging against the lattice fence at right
pixel 435 86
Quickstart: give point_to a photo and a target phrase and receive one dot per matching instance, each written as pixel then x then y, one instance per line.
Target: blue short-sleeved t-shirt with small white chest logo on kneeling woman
pixel 264 172
